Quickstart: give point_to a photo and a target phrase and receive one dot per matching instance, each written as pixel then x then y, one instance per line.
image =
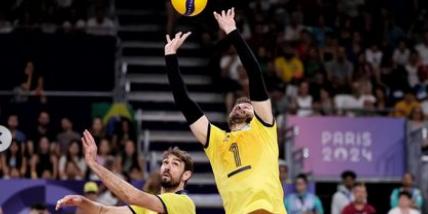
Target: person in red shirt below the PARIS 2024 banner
pixel 359 205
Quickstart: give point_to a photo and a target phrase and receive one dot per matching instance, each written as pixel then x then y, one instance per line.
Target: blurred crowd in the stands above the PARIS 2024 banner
pixel 347 57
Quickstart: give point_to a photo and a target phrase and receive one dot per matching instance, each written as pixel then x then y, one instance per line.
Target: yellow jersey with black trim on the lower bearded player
pixel 173 203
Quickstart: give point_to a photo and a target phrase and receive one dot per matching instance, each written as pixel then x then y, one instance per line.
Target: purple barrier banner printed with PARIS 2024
pixel 372 147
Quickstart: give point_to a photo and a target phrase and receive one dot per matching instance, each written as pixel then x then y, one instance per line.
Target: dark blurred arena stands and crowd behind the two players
pixel 348 80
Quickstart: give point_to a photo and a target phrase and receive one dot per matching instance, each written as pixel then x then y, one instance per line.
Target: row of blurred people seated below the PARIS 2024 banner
pixel 353 197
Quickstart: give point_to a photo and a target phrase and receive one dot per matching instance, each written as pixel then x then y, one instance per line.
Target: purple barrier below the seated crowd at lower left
pixel 17 196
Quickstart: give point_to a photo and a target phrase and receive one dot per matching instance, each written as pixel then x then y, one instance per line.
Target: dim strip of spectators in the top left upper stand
pixel 50 16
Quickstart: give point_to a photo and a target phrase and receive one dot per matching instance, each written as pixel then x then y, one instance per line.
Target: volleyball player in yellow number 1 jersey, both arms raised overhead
pixel 244 160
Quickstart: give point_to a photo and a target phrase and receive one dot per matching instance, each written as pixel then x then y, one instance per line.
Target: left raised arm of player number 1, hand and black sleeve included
pixel 197 121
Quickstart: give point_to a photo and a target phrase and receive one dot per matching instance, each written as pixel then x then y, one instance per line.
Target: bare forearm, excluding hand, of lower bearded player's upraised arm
pixel 123 190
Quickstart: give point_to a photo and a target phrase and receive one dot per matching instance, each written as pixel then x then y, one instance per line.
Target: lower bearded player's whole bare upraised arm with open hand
pixel 123 190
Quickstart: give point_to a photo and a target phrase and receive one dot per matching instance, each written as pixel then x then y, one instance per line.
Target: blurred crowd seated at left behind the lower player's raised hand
pixel 54 151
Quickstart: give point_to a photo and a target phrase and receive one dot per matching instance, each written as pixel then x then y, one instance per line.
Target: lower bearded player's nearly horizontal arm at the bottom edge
pixel 87 206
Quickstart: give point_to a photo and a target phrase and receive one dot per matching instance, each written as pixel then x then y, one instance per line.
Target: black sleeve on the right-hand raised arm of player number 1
pixel 258 90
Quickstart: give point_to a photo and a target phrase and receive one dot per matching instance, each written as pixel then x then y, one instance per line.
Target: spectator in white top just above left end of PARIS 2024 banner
pixel 304 100
